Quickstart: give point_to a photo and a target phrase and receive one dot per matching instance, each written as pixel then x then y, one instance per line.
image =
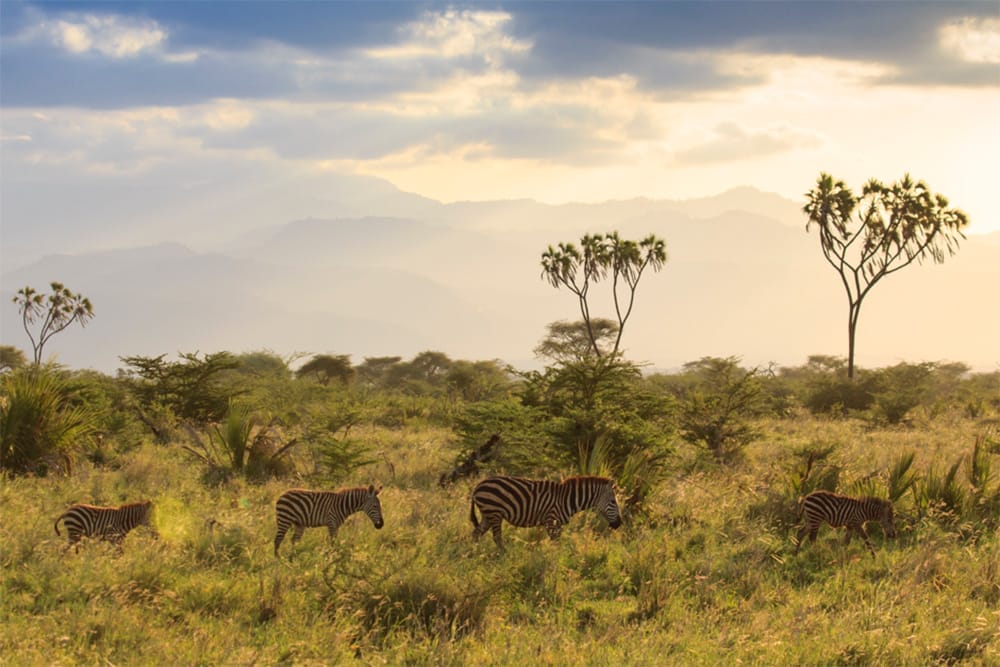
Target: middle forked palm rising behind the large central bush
pixel 602 256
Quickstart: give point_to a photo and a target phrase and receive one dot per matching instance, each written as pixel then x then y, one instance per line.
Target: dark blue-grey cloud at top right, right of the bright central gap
pixel 577 39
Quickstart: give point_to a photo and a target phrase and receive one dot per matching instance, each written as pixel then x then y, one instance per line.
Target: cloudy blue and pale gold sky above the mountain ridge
pixel 552 101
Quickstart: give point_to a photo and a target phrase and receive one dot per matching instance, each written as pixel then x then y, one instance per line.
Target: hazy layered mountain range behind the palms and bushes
pixel 744 278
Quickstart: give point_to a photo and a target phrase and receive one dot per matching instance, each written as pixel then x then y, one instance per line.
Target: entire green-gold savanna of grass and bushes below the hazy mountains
pixel 702 572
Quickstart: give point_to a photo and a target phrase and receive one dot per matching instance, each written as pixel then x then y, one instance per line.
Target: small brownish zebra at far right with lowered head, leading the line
pixel 838 510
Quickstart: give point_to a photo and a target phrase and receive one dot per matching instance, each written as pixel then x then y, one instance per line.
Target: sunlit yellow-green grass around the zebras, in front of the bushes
pixel 708 579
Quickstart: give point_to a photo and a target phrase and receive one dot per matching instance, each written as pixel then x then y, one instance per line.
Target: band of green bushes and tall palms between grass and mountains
pixel 588 410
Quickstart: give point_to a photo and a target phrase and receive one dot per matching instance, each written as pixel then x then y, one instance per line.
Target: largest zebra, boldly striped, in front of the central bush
pixel 530 502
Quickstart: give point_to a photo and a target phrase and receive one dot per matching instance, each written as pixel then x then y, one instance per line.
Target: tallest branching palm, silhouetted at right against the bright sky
pixel 865 238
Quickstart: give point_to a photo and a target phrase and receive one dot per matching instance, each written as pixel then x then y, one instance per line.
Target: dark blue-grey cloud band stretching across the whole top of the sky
pixel 248 49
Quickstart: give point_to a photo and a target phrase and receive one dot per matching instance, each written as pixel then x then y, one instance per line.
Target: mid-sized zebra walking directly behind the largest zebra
pixel 311 509
